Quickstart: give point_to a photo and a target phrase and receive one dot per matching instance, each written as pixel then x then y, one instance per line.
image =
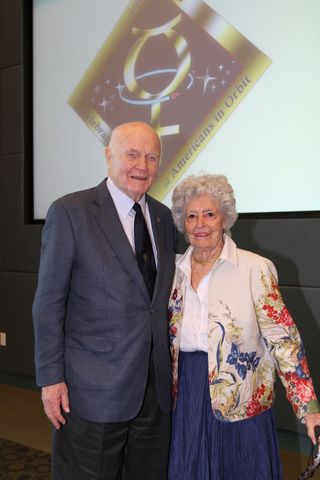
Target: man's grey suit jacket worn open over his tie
pixel 93 318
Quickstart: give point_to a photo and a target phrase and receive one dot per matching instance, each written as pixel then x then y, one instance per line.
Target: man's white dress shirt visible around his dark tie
pixel 124 205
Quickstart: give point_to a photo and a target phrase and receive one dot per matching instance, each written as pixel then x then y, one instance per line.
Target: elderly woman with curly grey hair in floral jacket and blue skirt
pixel 229 332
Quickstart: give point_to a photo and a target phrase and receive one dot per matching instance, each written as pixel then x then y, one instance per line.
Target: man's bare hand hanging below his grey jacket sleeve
pixel 55 397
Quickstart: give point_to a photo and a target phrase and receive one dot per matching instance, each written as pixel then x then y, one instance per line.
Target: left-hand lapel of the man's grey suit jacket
pixel 110 224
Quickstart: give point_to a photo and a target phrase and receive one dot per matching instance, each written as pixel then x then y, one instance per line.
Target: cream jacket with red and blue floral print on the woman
pixel 251 334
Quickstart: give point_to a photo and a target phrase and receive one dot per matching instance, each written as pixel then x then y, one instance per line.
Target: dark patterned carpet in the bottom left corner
pixel 19 462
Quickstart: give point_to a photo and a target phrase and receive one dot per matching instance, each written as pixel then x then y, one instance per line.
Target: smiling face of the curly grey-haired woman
pixel 204 223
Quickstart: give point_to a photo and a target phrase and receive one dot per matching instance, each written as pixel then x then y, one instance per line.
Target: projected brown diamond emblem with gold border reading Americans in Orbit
pixel 175 64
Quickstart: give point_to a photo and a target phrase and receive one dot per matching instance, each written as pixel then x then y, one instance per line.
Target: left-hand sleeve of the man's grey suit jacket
pixel 50 304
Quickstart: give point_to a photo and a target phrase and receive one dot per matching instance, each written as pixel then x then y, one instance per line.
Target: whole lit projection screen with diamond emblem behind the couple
pixel 231 88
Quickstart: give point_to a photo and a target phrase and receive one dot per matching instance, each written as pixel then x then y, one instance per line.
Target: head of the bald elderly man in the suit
pixel 133 157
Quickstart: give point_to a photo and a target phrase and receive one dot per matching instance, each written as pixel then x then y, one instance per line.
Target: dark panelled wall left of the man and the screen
pixel 19 243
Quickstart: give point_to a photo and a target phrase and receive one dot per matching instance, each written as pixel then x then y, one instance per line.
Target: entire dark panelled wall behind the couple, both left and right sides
pixel 292 243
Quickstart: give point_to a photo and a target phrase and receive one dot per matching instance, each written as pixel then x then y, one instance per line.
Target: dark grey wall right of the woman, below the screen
pixel 293 245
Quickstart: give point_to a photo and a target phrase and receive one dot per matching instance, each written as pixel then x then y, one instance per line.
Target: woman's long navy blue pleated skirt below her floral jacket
pixel 204 448
